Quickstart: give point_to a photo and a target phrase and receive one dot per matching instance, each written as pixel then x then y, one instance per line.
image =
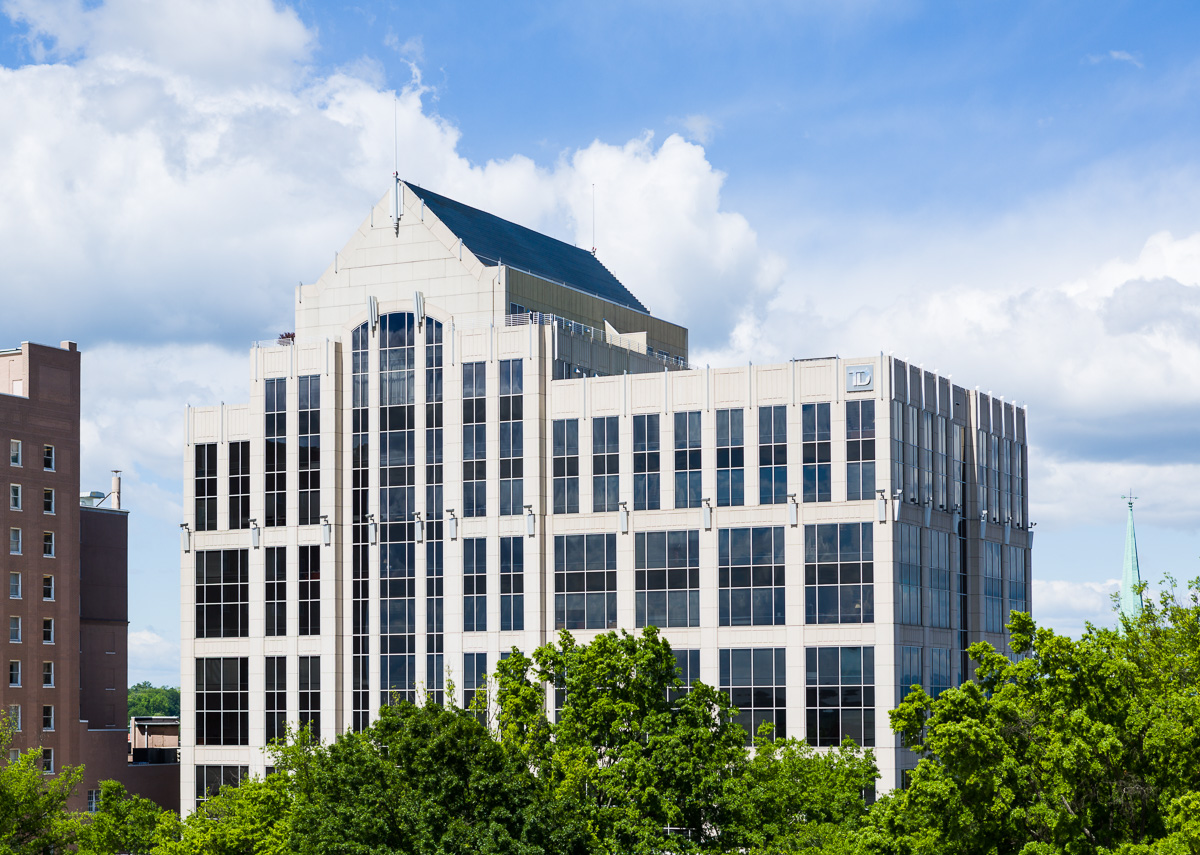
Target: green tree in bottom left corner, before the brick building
pixel 34 815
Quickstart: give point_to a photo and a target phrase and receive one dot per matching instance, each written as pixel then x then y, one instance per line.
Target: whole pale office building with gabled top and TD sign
pixel 477 437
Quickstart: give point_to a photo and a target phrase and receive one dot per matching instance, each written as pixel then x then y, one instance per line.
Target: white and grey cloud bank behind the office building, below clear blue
pixel 169 176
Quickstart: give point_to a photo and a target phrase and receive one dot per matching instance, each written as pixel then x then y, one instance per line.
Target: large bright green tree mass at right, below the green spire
pixel 1078 748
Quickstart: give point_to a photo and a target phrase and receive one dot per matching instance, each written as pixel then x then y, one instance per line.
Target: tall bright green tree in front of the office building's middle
pixel 655 767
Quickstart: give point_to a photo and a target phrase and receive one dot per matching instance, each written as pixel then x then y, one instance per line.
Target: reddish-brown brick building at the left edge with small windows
pixel 67 570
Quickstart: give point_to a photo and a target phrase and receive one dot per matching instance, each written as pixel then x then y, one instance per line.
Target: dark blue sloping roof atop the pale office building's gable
pixel 494 240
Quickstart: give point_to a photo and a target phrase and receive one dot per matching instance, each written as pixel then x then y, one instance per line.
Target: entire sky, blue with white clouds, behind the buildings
pixel 1003 192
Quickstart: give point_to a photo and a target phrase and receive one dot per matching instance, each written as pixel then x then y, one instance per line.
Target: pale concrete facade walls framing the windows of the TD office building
pixel 928 439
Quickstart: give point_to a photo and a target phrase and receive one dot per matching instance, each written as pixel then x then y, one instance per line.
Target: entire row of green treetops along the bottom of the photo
pixel 1070 748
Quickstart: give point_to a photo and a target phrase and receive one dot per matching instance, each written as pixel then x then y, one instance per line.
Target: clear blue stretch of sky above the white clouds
pixel 903 107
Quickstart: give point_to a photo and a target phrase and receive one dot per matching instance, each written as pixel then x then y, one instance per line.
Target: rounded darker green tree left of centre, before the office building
pixel 422 781
